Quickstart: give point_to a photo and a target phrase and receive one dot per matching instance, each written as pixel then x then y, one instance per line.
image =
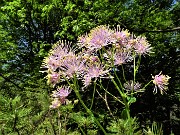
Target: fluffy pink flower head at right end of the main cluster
pixel 141 46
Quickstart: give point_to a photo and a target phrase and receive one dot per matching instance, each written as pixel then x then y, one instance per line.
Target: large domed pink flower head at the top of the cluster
pixel 98 37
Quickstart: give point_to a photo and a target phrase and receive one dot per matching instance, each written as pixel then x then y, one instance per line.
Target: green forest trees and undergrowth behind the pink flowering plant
pixel 29 28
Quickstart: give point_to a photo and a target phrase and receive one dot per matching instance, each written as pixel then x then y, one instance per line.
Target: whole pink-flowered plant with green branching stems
pixel 96 58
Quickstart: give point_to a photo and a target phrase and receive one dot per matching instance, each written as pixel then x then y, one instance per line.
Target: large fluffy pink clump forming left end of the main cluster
pixel 61 60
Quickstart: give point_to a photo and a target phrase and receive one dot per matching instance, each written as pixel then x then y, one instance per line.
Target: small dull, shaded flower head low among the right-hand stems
pixel 132 86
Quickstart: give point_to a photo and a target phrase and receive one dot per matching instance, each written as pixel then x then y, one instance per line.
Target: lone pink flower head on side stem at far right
pixel 160 81
